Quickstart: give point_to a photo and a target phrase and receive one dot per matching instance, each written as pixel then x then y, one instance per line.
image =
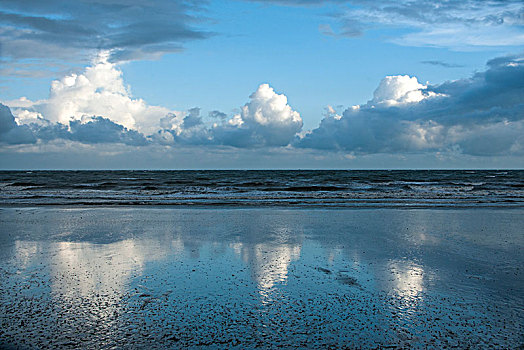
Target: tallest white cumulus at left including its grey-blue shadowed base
pixel 90 107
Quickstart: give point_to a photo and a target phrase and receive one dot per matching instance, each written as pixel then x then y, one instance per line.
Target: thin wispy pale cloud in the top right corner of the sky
pixel 452 24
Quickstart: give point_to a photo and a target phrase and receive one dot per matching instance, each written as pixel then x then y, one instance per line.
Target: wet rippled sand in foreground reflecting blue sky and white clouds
pixel 220 278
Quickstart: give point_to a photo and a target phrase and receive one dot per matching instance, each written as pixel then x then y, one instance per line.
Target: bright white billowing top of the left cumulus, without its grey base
pixel 98 91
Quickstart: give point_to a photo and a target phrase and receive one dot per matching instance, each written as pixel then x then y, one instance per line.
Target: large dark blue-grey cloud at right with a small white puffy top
pixel 482 115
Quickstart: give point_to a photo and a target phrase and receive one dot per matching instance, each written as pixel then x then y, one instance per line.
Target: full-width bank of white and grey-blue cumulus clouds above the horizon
pixel 480 116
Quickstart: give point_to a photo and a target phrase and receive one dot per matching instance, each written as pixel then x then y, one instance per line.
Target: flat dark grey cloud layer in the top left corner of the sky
pixel 68 29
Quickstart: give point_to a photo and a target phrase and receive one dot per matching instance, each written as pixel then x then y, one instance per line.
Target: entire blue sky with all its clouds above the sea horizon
pixel 275 84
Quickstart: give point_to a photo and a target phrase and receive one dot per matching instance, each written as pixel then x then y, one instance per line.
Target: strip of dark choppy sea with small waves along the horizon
pixel 289 188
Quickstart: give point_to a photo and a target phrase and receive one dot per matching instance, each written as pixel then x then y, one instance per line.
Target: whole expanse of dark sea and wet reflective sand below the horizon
pixel 294 259
